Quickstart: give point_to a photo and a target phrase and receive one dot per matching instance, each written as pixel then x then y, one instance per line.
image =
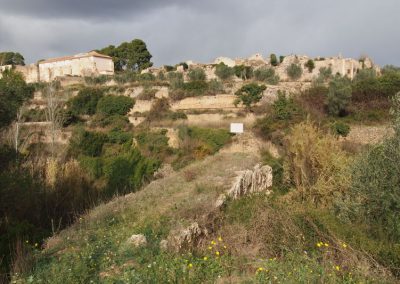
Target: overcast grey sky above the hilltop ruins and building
pixel 201 30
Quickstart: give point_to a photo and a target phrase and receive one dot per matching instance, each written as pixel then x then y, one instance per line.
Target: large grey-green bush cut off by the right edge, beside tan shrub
pixel 374 193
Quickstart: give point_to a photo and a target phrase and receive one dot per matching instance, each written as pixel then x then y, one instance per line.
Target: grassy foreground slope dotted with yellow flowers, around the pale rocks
pixel 256 239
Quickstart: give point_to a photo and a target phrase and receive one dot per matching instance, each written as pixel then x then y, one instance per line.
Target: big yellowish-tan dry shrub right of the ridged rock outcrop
pixel 312 157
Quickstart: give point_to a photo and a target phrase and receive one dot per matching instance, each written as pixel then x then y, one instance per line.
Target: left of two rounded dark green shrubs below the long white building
pixel 86 101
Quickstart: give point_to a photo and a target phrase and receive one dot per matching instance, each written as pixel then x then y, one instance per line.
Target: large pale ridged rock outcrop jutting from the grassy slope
pixel 247 182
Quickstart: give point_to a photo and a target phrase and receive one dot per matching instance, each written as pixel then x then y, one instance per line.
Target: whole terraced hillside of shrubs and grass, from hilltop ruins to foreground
pixel 86 167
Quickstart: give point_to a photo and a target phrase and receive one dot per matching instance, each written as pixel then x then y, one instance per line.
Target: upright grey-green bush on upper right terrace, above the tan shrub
pixel 339 95
